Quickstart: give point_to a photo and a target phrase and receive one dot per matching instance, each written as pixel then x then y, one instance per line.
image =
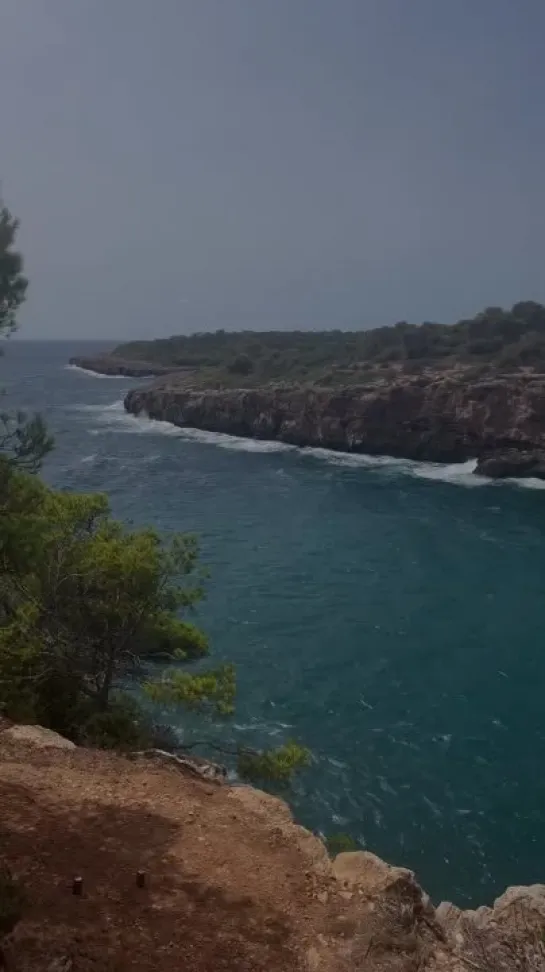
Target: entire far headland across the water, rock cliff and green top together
pixel 433 392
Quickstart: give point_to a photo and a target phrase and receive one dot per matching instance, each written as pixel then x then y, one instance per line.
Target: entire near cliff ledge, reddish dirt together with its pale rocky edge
pixel 230 881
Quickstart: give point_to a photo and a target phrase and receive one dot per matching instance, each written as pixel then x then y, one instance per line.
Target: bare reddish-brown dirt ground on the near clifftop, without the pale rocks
pixel 223 891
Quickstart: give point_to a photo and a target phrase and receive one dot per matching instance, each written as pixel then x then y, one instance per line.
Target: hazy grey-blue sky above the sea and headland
pixel 182 165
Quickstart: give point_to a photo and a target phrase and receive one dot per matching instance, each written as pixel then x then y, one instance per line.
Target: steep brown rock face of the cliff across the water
pixel 441 417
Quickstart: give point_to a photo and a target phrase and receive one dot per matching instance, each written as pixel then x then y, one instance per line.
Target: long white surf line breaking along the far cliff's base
pixel 114 416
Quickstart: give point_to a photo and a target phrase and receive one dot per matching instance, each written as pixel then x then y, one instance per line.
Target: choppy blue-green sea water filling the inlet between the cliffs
pixel 390 615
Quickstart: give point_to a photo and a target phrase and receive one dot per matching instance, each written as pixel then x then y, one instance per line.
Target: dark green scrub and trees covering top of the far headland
pixel 504 338
